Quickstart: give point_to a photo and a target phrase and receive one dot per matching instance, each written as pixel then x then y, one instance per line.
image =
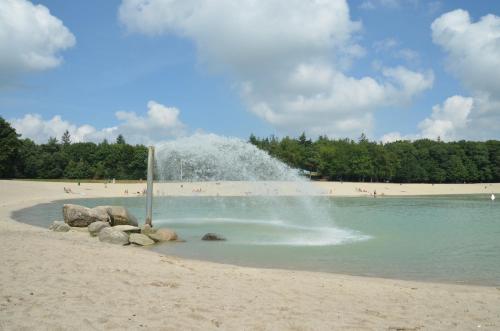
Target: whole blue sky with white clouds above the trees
pixel 155 70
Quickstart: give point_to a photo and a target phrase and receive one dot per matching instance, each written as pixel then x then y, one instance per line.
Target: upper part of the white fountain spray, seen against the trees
pixel 209 157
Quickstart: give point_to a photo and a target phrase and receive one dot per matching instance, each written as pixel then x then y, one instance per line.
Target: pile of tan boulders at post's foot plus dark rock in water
pixel 115 225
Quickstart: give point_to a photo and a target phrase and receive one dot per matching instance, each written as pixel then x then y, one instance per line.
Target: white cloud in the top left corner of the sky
pixel 30 38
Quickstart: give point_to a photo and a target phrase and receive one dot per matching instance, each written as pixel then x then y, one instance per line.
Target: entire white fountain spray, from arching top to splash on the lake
pixel 297 219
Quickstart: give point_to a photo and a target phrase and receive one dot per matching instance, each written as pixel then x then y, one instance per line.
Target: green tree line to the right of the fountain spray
pixel 419 161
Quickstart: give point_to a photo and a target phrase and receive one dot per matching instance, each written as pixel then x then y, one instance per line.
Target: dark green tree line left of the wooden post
pixel 57 159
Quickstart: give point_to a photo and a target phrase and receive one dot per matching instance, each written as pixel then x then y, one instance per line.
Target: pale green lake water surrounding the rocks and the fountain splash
pixel 447 238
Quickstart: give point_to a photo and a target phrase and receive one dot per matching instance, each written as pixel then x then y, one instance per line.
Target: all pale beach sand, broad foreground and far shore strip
pixel 60 281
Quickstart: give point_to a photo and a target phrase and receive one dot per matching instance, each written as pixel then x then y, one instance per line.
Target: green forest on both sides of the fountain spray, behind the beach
pixel 419 161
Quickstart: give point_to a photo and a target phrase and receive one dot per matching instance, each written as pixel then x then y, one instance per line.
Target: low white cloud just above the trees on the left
pixel 159 124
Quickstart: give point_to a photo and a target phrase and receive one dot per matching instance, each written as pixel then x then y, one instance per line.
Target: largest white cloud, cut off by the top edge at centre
pixel 289 58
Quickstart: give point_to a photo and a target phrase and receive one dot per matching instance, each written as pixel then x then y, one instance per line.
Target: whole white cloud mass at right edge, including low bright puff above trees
pixel 472 52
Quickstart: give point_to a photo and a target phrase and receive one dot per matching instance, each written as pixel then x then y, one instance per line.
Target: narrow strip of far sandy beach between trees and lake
pixel 34 190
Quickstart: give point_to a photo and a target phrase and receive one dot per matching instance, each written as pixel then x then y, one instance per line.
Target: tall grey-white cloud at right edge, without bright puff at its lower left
pixel 473 56
